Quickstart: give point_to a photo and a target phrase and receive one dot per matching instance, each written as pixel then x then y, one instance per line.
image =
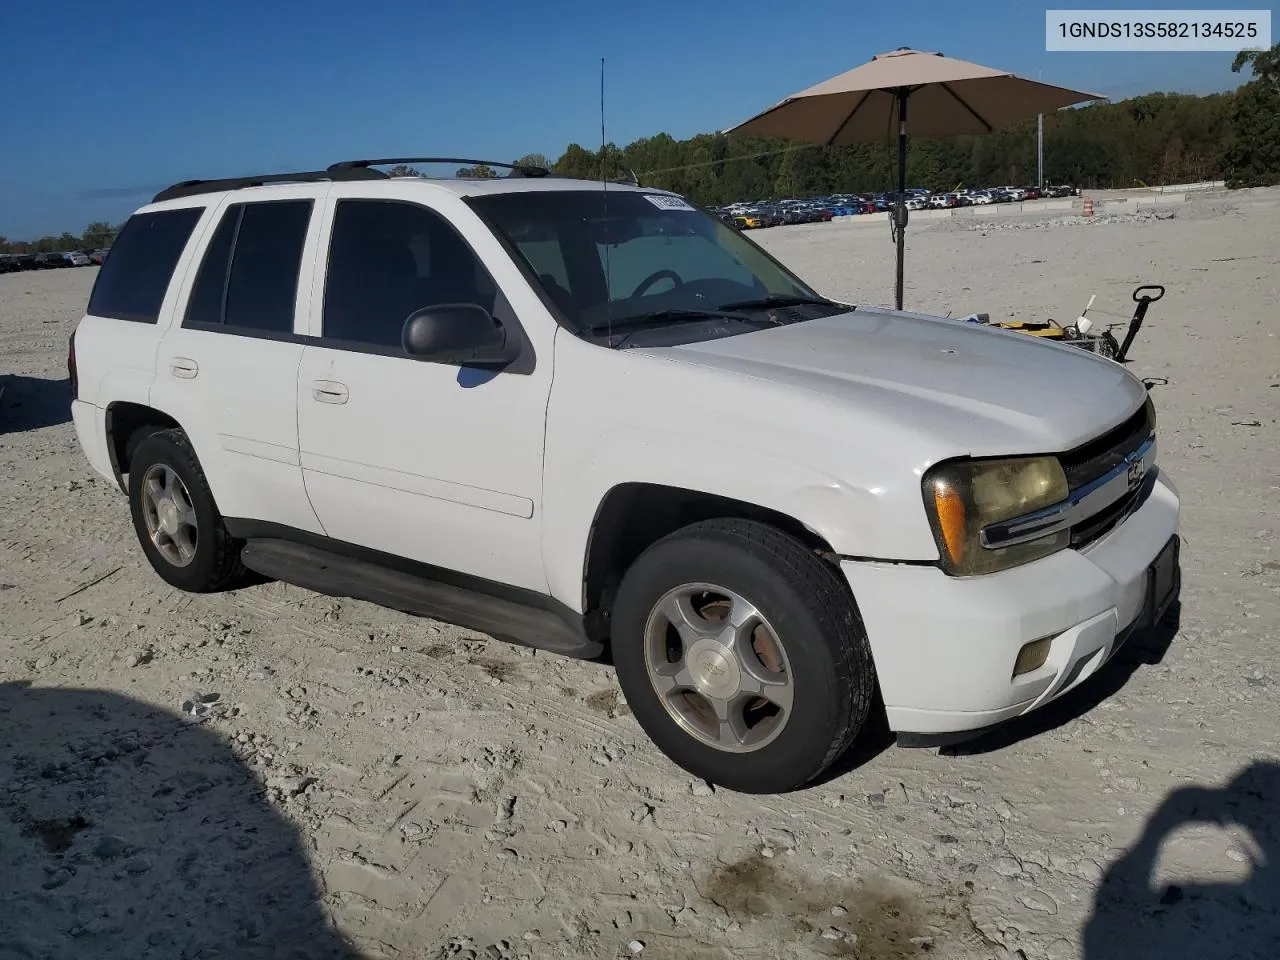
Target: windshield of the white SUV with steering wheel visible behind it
pixel 620 258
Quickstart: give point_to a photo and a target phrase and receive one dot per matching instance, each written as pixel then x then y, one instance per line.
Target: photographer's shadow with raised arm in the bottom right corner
pixel 1203 921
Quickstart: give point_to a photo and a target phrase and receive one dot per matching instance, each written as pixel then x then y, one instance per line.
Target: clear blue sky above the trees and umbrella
pixel 109 100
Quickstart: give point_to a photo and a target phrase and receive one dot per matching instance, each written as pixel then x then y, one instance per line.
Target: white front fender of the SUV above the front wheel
pixel 619 417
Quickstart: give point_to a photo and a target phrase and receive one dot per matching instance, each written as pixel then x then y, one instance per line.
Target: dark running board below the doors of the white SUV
pixel 335 575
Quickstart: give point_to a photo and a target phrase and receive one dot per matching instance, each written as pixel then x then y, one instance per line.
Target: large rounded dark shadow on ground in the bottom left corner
pixel 127 831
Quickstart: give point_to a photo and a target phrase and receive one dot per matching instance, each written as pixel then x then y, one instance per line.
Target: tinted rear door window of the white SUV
pixel 249 278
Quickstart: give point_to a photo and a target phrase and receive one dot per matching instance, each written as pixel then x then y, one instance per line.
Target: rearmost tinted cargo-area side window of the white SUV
pixel 134 280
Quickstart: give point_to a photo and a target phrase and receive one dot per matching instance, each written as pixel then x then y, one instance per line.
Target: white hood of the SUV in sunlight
pixel 980 391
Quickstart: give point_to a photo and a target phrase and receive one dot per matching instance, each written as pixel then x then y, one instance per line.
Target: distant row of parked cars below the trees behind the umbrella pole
pixel 776 213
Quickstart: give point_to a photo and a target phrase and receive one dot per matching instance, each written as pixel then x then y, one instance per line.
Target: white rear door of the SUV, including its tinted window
pixel 228 365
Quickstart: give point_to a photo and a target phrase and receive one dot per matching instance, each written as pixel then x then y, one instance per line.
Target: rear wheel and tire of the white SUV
pixel 209 560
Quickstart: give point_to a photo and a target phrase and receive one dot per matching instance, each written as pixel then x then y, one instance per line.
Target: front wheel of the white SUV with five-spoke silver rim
pixel 811 615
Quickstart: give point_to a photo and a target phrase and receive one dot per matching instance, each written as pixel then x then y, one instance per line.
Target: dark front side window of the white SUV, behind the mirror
pixel 391 259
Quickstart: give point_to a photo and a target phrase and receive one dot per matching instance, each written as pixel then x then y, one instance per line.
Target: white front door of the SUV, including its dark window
pixel 433 463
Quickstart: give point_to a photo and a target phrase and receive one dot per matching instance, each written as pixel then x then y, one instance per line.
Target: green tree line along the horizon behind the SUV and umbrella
pixel 1144 141
